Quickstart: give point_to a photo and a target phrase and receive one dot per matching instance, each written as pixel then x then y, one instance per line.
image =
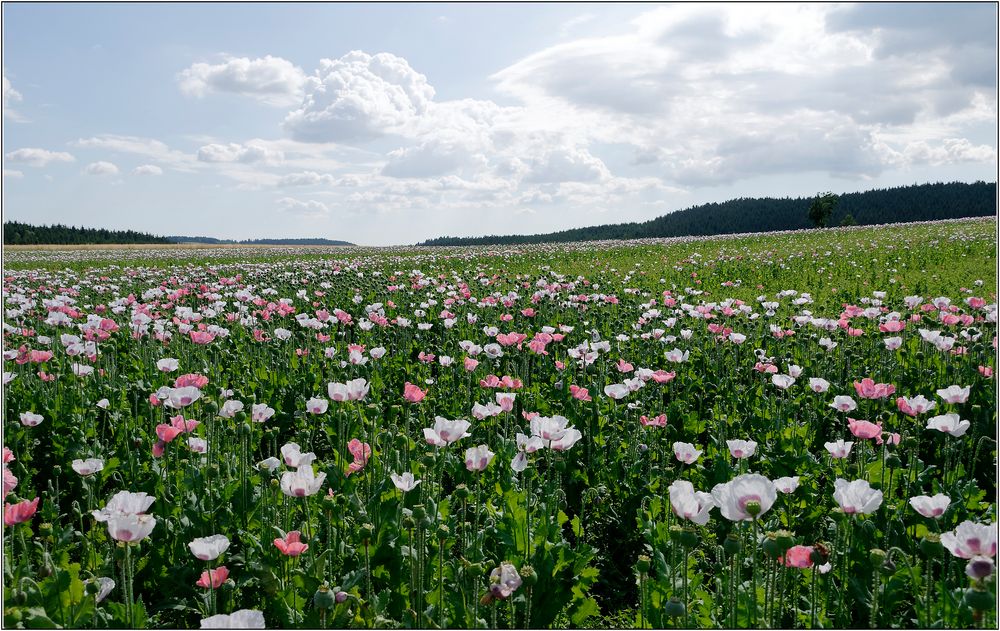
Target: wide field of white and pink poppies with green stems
pixel 788 430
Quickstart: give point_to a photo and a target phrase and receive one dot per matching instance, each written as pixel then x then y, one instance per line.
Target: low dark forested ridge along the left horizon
pixel 17 233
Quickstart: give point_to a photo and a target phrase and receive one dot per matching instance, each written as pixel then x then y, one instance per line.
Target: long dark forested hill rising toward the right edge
pixel 919 202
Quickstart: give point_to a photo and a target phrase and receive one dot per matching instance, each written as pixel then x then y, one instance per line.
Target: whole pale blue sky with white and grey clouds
pixel 390 124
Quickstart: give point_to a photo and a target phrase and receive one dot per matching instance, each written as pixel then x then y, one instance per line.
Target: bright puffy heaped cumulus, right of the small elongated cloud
pixel 359 96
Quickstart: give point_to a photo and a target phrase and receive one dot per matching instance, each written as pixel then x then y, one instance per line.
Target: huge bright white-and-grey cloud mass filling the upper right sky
pixel 718 93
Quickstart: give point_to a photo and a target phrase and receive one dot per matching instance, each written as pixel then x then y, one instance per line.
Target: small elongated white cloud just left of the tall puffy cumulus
pixel 271 80
